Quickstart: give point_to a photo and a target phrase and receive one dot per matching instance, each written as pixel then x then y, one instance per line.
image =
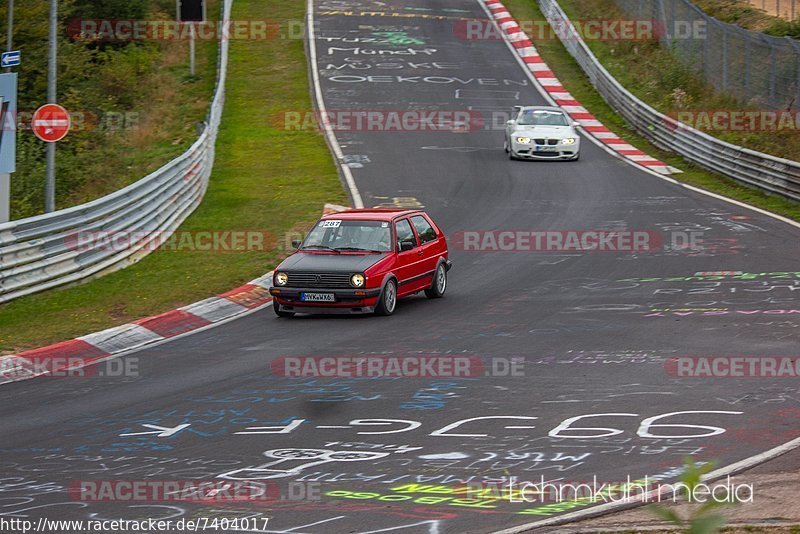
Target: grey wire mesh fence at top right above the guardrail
pixel 758 69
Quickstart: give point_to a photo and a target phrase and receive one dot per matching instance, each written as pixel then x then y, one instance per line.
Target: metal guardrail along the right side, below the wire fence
pixel 769 173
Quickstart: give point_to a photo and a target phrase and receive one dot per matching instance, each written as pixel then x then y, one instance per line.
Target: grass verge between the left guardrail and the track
pixel 264 178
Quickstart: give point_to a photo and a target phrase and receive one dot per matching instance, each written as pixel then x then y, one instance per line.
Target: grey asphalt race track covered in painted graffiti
pixel 592 333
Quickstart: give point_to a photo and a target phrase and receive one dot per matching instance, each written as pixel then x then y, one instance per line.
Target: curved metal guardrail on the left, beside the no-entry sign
pixel 50 250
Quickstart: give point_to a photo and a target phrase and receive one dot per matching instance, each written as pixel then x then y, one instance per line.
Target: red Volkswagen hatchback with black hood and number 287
pixel 362 261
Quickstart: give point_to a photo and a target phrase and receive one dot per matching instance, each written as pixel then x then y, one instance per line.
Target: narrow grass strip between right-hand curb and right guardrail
pixel 576 82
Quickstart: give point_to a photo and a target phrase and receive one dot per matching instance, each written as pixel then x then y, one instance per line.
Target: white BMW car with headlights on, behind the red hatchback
pixel 542 132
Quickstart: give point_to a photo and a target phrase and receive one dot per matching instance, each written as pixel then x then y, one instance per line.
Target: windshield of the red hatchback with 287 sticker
pixel 350 236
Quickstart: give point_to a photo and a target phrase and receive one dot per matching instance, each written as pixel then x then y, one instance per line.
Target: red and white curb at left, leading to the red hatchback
pixel 92 348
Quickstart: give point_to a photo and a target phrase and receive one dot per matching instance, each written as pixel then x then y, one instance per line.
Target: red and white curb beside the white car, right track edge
pixel 551 84
